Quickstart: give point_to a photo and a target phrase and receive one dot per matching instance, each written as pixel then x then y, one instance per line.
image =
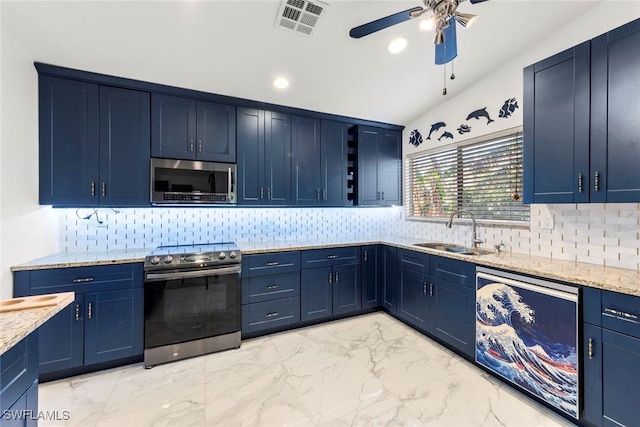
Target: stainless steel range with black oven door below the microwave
pixel 192 301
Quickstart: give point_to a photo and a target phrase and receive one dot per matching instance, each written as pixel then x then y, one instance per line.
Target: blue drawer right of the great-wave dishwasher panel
pixel 621 313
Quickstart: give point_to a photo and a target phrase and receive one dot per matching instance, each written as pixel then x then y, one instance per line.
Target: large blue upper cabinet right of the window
pixel 581 131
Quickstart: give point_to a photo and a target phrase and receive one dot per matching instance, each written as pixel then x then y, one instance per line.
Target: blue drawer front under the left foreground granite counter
pixel 18 370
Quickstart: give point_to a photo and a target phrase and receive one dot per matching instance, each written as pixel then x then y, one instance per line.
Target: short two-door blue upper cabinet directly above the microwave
pixel 184 128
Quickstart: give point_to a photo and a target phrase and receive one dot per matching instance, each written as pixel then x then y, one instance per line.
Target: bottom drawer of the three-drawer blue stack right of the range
pixel 270 314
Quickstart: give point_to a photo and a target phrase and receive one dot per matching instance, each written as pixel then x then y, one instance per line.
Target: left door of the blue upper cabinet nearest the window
pixel 368 193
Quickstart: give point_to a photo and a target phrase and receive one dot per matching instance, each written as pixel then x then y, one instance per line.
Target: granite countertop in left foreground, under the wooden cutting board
pixel 16 325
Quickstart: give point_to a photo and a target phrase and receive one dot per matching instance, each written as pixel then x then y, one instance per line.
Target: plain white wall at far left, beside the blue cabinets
pixel 27 230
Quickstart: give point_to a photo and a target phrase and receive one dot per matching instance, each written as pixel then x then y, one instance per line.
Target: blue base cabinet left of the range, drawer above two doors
pixel 103 324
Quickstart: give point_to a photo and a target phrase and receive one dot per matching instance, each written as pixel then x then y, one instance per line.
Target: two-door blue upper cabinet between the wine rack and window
pixel 379 166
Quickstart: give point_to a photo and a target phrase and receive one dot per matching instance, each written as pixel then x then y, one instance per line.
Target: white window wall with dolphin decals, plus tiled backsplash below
pixel 594 233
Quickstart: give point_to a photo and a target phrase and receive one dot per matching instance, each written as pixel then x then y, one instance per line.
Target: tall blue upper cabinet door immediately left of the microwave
pixel 124 147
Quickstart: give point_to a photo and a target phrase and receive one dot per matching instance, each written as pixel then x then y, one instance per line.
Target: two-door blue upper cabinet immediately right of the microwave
pixel 264 157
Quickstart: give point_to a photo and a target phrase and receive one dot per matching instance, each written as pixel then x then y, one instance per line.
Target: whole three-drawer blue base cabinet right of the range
pixel 270 291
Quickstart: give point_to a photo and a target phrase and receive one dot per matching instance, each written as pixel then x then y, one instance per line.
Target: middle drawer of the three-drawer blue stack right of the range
pixel 270 287
